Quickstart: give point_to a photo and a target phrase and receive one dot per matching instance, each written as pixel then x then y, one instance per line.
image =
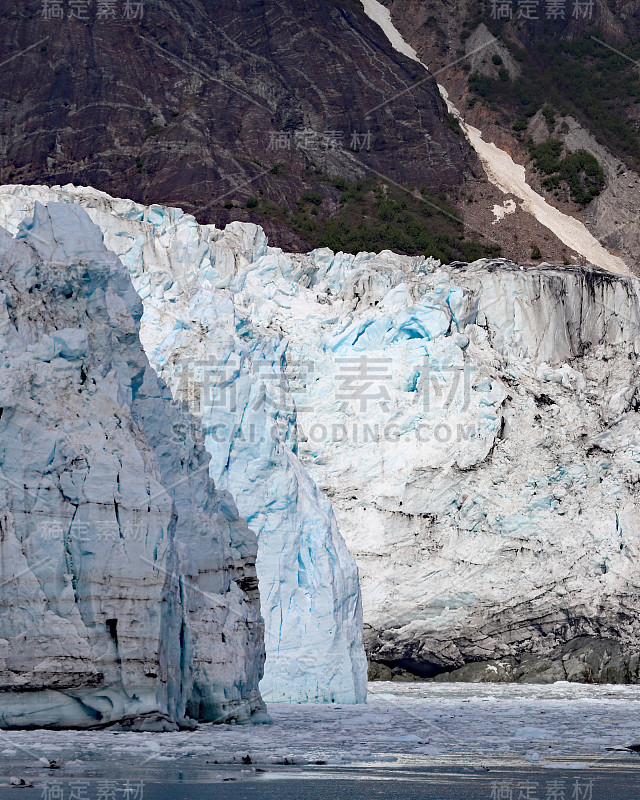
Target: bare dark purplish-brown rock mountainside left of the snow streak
pixel 211 106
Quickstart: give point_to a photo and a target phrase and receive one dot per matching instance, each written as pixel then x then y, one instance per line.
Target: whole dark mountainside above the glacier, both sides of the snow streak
pixel 302 117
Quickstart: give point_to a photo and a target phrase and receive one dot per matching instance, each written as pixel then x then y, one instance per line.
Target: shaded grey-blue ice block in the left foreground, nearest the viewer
pixel 128 583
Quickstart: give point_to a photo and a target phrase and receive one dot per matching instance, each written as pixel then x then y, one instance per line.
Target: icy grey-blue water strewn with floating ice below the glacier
pixel 488 741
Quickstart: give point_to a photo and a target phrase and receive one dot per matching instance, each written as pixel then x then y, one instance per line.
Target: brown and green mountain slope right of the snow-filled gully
pixel 527 82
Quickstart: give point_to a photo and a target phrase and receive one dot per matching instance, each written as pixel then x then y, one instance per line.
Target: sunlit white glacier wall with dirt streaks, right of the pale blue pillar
pixel 459 417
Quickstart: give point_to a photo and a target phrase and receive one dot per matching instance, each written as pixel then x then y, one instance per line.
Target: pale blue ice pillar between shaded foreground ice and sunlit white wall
pixel 232 374
